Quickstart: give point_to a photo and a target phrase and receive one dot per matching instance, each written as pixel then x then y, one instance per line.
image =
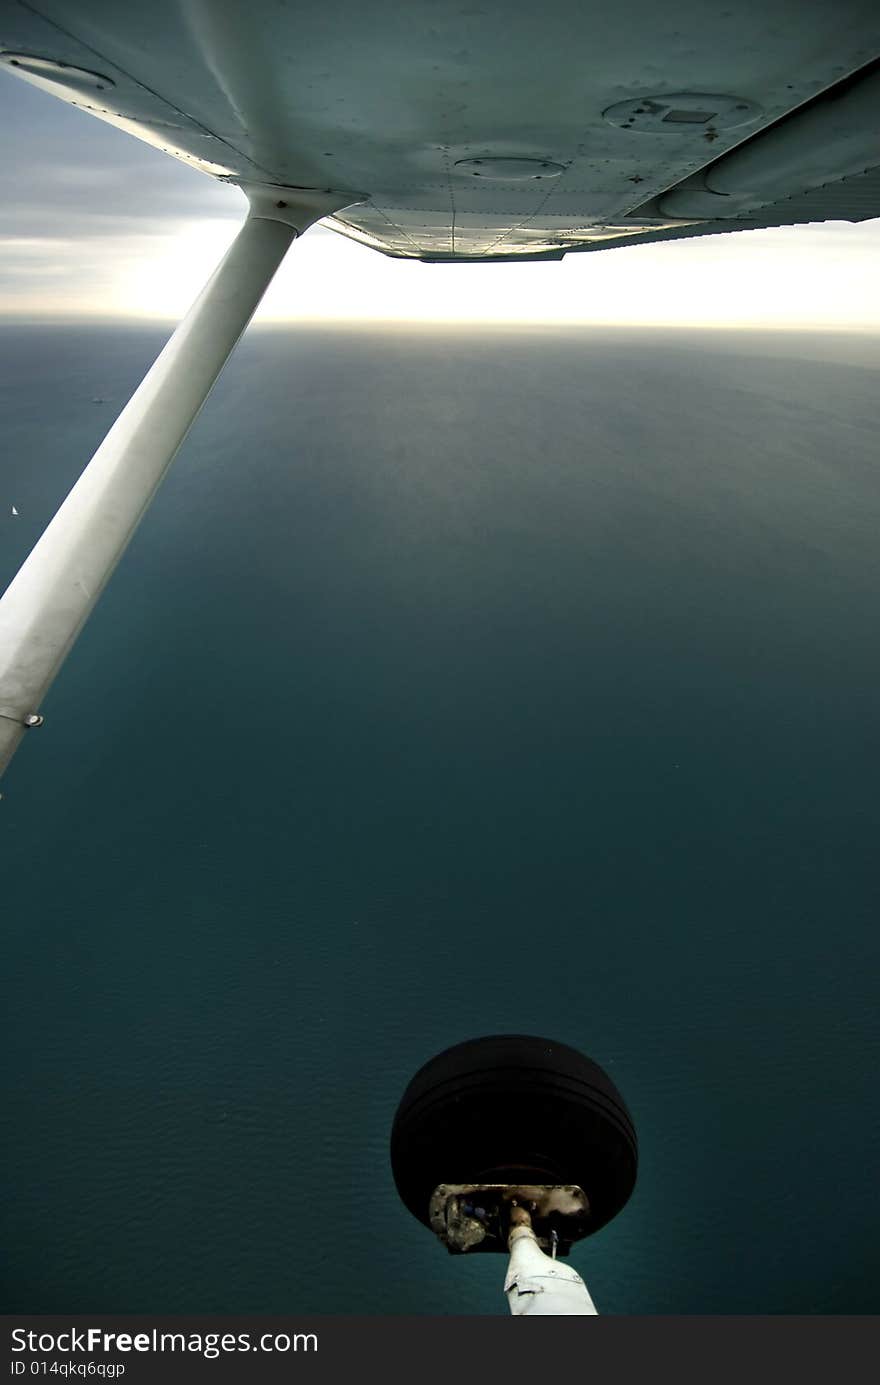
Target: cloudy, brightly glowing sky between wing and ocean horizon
pixel 98 225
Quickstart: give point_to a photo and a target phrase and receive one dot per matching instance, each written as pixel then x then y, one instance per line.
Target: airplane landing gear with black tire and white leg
pixel 522 1145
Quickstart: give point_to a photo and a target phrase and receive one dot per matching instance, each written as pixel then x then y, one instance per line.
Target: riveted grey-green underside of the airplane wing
pixel 491 129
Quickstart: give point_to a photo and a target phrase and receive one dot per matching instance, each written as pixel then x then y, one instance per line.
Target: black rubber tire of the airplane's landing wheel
pixel 512 1109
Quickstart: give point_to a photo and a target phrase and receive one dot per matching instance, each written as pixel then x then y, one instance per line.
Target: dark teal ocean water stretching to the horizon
pixel 458 682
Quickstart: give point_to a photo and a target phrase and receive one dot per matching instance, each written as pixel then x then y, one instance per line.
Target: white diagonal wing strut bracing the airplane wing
pixel 52 596
